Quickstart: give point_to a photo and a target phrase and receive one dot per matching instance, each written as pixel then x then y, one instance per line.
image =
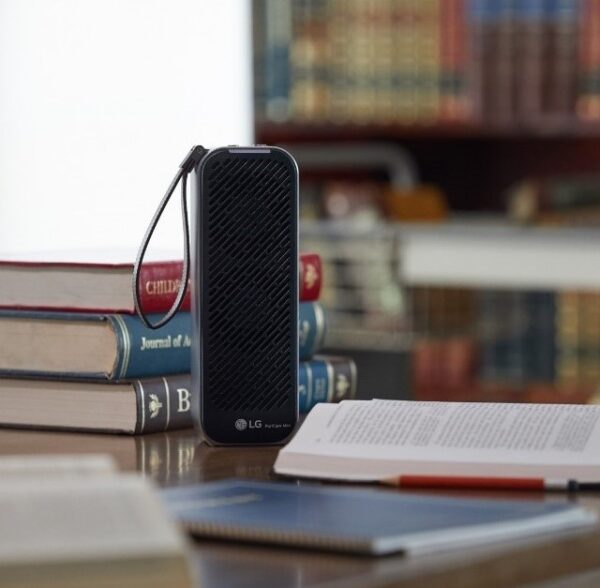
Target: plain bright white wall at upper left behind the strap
pixel 99 102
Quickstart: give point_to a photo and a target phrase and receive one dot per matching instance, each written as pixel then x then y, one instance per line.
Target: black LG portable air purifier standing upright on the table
pixel 244 264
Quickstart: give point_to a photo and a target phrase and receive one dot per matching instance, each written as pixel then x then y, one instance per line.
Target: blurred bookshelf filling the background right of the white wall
pixel 471 277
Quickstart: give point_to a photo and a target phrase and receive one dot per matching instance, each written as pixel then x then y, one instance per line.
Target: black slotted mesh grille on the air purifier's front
pixel 251 285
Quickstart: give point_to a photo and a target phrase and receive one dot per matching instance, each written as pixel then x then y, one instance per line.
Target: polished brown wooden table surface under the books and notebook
pixel 179 458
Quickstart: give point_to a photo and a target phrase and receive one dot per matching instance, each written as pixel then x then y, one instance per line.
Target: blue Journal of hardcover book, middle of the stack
pixel 113 346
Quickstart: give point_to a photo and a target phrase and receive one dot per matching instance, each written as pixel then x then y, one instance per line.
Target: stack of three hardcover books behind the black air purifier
pixel 74 356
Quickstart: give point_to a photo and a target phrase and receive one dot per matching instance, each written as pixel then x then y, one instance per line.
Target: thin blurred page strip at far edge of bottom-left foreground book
pixel 19 467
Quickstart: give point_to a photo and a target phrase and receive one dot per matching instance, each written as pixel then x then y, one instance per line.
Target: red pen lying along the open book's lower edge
pixel 489 483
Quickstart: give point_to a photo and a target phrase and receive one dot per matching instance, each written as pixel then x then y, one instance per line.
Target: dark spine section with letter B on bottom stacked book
pixel 163 404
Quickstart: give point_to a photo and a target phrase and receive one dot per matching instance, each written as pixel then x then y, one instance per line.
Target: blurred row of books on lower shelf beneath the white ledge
pixel 503 344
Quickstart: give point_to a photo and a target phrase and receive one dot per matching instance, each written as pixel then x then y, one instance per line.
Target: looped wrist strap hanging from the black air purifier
pixel 187 165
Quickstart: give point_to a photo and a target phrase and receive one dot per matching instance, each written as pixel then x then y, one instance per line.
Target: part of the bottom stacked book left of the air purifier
pixel 133 407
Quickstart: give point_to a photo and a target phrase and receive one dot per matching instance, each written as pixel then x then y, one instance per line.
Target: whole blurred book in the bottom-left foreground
pixel 64 528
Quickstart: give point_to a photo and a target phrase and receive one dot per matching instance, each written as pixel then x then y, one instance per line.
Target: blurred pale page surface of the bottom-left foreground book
pixel 83 519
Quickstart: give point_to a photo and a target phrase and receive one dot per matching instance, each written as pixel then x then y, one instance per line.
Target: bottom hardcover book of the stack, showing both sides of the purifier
pixel 148 405
